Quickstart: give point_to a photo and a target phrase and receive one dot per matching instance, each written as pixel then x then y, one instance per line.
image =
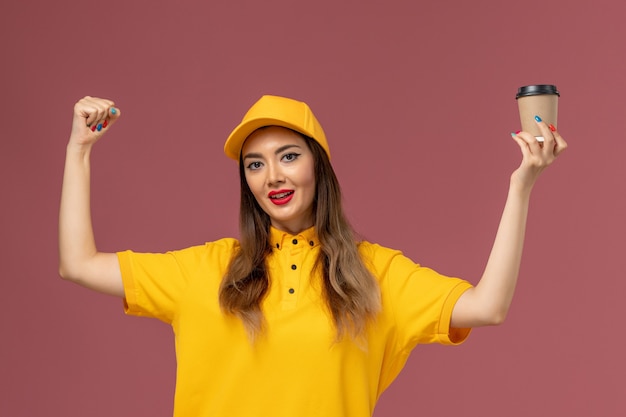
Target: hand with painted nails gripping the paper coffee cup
pixel 536 156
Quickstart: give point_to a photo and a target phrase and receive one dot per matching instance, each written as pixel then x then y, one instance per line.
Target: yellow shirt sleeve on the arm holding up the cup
pixel 421 300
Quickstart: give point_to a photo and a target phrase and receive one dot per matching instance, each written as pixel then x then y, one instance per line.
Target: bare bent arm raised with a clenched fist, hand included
pixel 79 259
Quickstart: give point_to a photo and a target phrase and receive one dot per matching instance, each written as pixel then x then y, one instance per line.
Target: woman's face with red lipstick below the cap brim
pixel 279 170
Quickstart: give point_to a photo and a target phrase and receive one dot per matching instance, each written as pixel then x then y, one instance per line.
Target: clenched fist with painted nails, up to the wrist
pixel 92 118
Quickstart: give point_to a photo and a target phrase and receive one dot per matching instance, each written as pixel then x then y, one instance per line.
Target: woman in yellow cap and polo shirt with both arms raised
pixel 296 318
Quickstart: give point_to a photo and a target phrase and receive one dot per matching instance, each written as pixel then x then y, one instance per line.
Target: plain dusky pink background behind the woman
pixel 417 99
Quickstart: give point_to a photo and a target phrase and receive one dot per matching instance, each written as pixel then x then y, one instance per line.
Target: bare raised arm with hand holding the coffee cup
pixel 488 303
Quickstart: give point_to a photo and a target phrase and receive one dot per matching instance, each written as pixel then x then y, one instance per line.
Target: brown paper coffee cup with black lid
pixel 537 100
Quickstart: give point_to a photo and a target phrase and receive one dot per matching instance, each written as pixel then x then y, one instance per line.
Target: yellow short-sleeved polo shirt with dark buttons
pixel 295 368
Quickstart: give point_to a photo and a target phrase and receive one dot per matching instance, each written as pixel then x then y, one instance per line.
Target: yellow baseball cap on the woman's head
pixel 276 111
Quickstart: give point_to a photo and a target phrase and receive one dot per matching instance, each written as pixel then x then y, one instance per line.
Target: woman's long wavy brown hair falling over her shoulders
pixel 351 292
